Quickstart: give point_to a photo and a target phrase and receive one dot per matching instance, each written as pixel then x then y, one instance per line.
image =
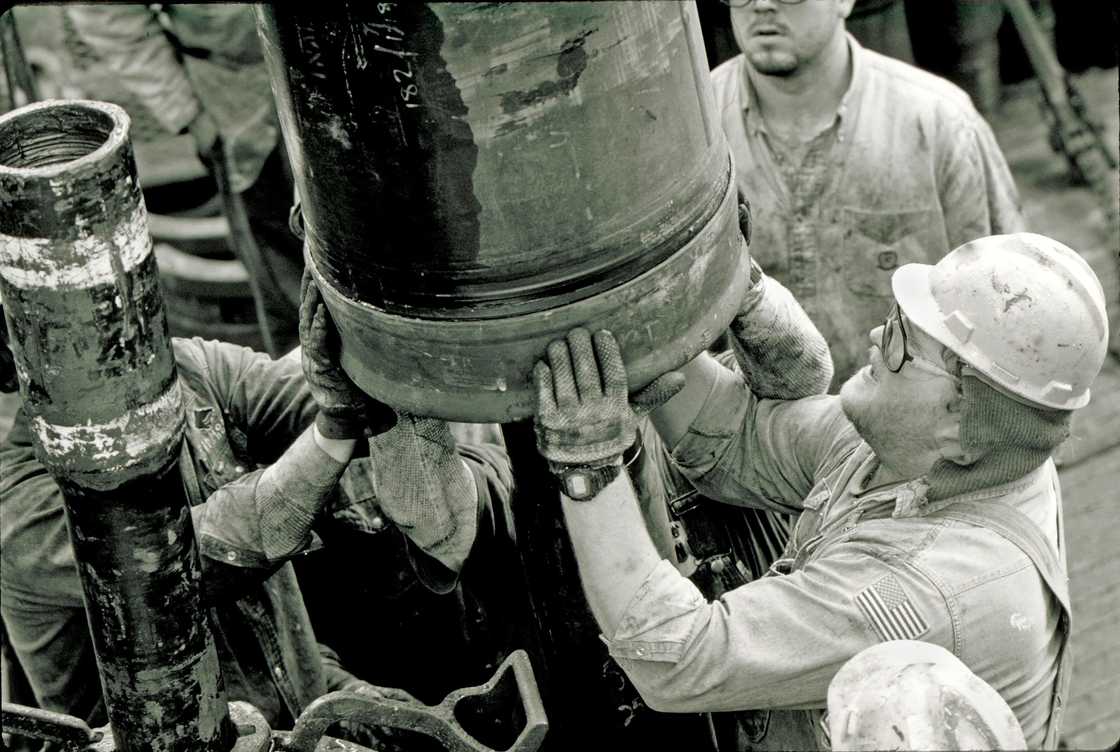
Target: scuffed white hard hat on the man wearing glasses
pixel 1024 311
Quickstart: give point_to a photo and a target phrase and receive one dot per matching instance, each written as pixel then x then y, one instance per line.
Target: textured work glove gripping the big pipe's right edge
pixel 779 349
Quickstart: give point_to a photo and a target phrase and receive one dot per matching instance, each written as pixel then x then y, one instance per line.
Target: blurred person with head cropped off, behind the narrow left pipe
pixel 199 70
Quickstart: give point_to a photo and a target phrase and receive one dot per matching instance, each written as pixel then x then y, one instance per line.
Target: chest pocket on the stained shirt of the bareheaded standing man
pixel 876 244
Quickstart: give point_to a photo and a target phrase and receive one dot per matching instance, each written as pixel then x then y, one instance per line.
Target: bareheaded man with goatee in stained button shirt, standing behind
pixel 844 190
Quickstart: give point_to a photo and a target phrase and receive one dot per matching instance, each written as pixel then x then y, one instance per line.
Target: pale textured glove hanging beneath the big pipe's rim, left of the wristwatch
pixel 426 489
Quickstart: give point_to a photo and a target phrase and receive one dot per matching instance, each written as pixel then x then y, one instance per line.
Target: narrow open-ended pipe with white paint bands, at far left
pixel 97 374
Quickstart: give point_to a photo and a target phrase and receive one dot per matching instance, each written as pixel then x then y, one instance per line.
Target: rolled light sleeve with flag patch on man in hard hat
pixel 774 643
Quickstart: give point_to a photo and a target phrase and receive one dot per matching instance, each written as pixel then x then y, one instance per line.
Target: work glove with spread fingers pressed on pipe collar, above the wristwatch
pixel 584 416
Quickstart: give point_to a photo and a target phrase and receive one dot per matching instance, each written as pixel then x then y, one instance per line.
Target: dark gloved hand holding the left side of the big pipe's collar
pixel 342 405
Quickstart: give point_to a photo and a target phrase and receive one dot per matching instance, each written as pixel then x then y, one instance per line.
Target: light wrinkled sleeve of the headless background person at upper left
pixel 133 44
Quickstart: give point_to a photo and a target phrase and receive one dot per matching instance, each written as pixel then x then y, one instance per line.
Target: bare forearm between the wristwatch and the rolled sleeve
pixel 613 549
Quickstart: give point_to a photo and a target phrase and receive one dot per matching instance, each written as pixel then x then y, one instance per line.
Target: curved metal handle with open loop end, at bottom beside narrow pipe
pixel 441 722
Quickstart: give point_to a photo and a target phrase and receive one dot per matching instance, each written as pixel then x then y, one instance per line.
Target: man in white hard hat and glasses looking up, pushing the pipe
pixel 928 504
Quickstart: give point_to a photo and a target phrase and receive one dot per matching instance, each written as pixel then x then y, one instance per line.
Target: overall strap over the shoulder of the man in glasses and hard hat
pixel 1018 528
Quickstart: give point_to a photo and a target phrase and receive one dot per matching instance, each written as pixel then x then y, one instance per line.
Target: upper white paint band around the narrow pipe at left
pixel 35 263
